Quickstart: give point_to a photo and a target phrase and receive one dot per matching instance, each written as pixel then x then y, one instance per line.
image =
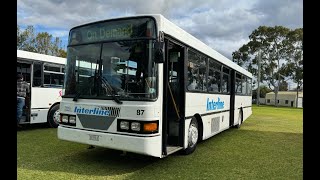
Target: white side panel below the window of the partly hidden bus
pixel 44 97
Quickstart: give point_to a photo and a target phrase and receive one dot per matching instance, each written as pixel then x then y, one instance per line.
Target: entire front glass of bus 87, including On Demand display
pixel 112 60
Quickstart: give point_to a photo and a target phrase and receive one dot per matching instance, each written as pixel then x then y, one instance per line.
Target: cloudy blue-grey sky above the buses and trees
pixel 225 25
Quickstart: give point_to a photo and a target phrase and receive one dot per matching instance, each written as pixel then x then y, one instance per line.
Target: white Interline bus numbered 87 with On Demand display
pixel 141 84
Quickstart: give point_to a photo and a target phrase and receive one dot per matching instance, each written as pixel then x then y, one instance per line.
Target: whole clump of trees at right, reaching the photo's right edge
pixel 279 50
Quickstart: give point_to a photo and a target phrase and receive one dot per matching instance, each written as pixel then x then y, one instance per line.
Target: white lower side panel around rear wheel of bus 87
pixel 243 102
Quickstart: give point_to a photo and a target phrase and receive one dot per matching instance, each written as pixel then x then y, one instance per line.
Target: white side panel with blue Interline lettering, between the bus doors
pixel 214 110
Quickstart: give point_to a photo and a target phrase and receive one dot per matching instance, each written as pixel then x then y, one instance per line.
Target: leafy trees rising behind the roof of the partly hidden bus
pixel 42 42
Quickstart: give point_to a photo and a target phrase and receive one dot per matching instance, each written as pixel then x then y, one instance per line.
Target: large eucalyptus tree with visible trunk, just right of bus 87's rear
pixel 270 43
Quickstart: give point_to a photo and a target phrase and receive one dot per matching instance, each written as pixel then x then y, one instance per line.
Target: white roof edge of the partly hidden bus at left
pixel 40 57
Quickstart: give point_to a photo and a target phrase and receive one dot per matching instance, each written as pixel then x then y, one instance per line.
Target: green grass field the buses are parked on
pixel 267 146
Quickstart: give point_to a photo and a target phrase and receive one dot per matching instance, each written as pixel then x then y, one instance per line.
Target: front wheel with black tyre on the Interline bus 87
pixel 193 136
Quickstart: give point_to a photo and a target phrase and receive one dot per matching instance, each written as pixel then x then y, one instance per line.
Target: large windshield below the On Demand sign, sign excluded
pixel 121 70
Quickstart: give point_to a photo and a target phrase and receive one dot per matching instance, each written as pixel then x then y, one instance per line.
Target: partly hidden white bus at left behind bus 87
pixel 45 75
